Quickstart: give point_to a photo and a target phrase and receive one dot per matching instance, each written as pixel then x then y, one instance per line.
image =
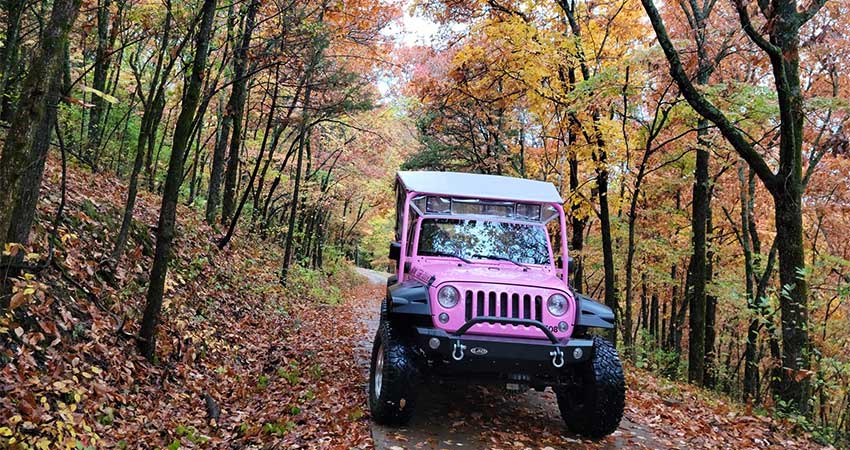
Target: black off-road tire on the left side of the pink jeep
pixel 395 402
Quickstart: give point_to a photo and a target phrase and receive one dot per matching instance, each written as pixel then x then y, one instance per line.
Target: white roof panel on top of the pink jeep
pixel 474 185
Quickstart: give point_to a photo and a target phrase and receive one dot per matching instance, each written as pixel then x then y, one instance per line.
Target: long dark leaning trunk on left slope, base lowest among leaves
pixel 171 192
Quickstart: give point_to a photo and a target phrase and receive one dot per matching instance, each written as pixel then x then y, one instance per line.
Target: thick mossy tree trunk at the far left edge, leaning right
pixel 23 146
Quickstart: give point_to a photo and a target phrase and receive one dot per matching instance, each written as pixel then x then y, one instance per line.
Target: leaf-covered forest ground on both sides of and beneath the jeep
pixel 243 362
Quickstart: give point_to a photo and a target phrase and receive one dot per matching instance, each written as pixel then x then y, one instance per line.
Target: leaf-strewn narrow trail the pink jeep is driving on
pixel 471 417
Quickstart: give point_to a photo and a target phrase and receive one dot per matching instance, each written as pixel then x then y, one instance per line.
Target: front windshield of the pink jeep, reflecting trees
pixel 483 239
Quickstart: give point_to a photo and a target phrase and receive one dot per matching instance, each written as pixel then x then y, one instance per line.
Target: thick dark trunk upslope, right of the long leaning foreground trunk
pixel 236 106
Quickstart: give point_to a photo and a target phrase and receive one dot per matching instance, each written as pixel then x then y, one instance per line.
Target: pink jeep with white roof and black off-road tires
pixel 480 296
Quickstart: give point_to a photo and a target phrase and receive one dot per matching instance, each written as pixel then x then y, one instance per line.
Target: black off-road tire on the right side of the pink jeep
pixel 595 408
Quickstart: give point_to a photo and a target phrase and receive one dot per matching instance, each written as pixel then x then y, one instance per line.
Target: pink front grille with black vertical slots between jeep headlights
pixel 503 304
